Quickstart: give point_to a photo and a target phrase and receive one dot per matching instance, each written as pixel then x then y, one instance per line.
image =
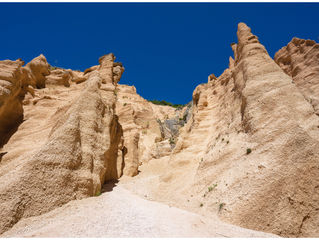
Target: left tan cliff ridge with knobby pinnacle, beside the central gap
pixel 77 153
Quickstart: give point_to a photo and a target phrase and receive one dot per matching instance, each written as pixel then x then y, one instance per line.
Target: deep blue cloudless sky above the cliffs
pixel 167 48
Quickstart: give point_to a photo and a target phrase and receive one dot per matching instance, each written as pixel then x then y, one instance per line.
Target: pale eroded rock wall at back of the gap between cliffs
pixel 142 132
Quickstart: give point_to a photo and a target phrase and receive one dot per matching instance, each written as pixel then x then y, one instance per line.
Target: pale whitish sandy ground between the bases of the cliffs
pixel 119 213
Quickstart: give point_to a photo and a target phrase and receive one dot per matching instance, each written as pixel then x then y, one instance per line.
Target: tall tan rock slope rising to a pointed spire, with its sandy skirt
pixel 249 151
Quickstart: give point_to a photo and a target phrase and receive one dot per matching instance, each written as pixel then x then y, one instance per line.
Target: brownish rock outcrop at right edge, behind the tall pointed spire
pixel 300 60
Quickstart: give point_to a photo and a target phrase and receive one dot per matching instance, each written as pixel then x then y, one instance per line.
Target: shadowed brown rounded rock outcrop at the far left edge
pixel 16 82
